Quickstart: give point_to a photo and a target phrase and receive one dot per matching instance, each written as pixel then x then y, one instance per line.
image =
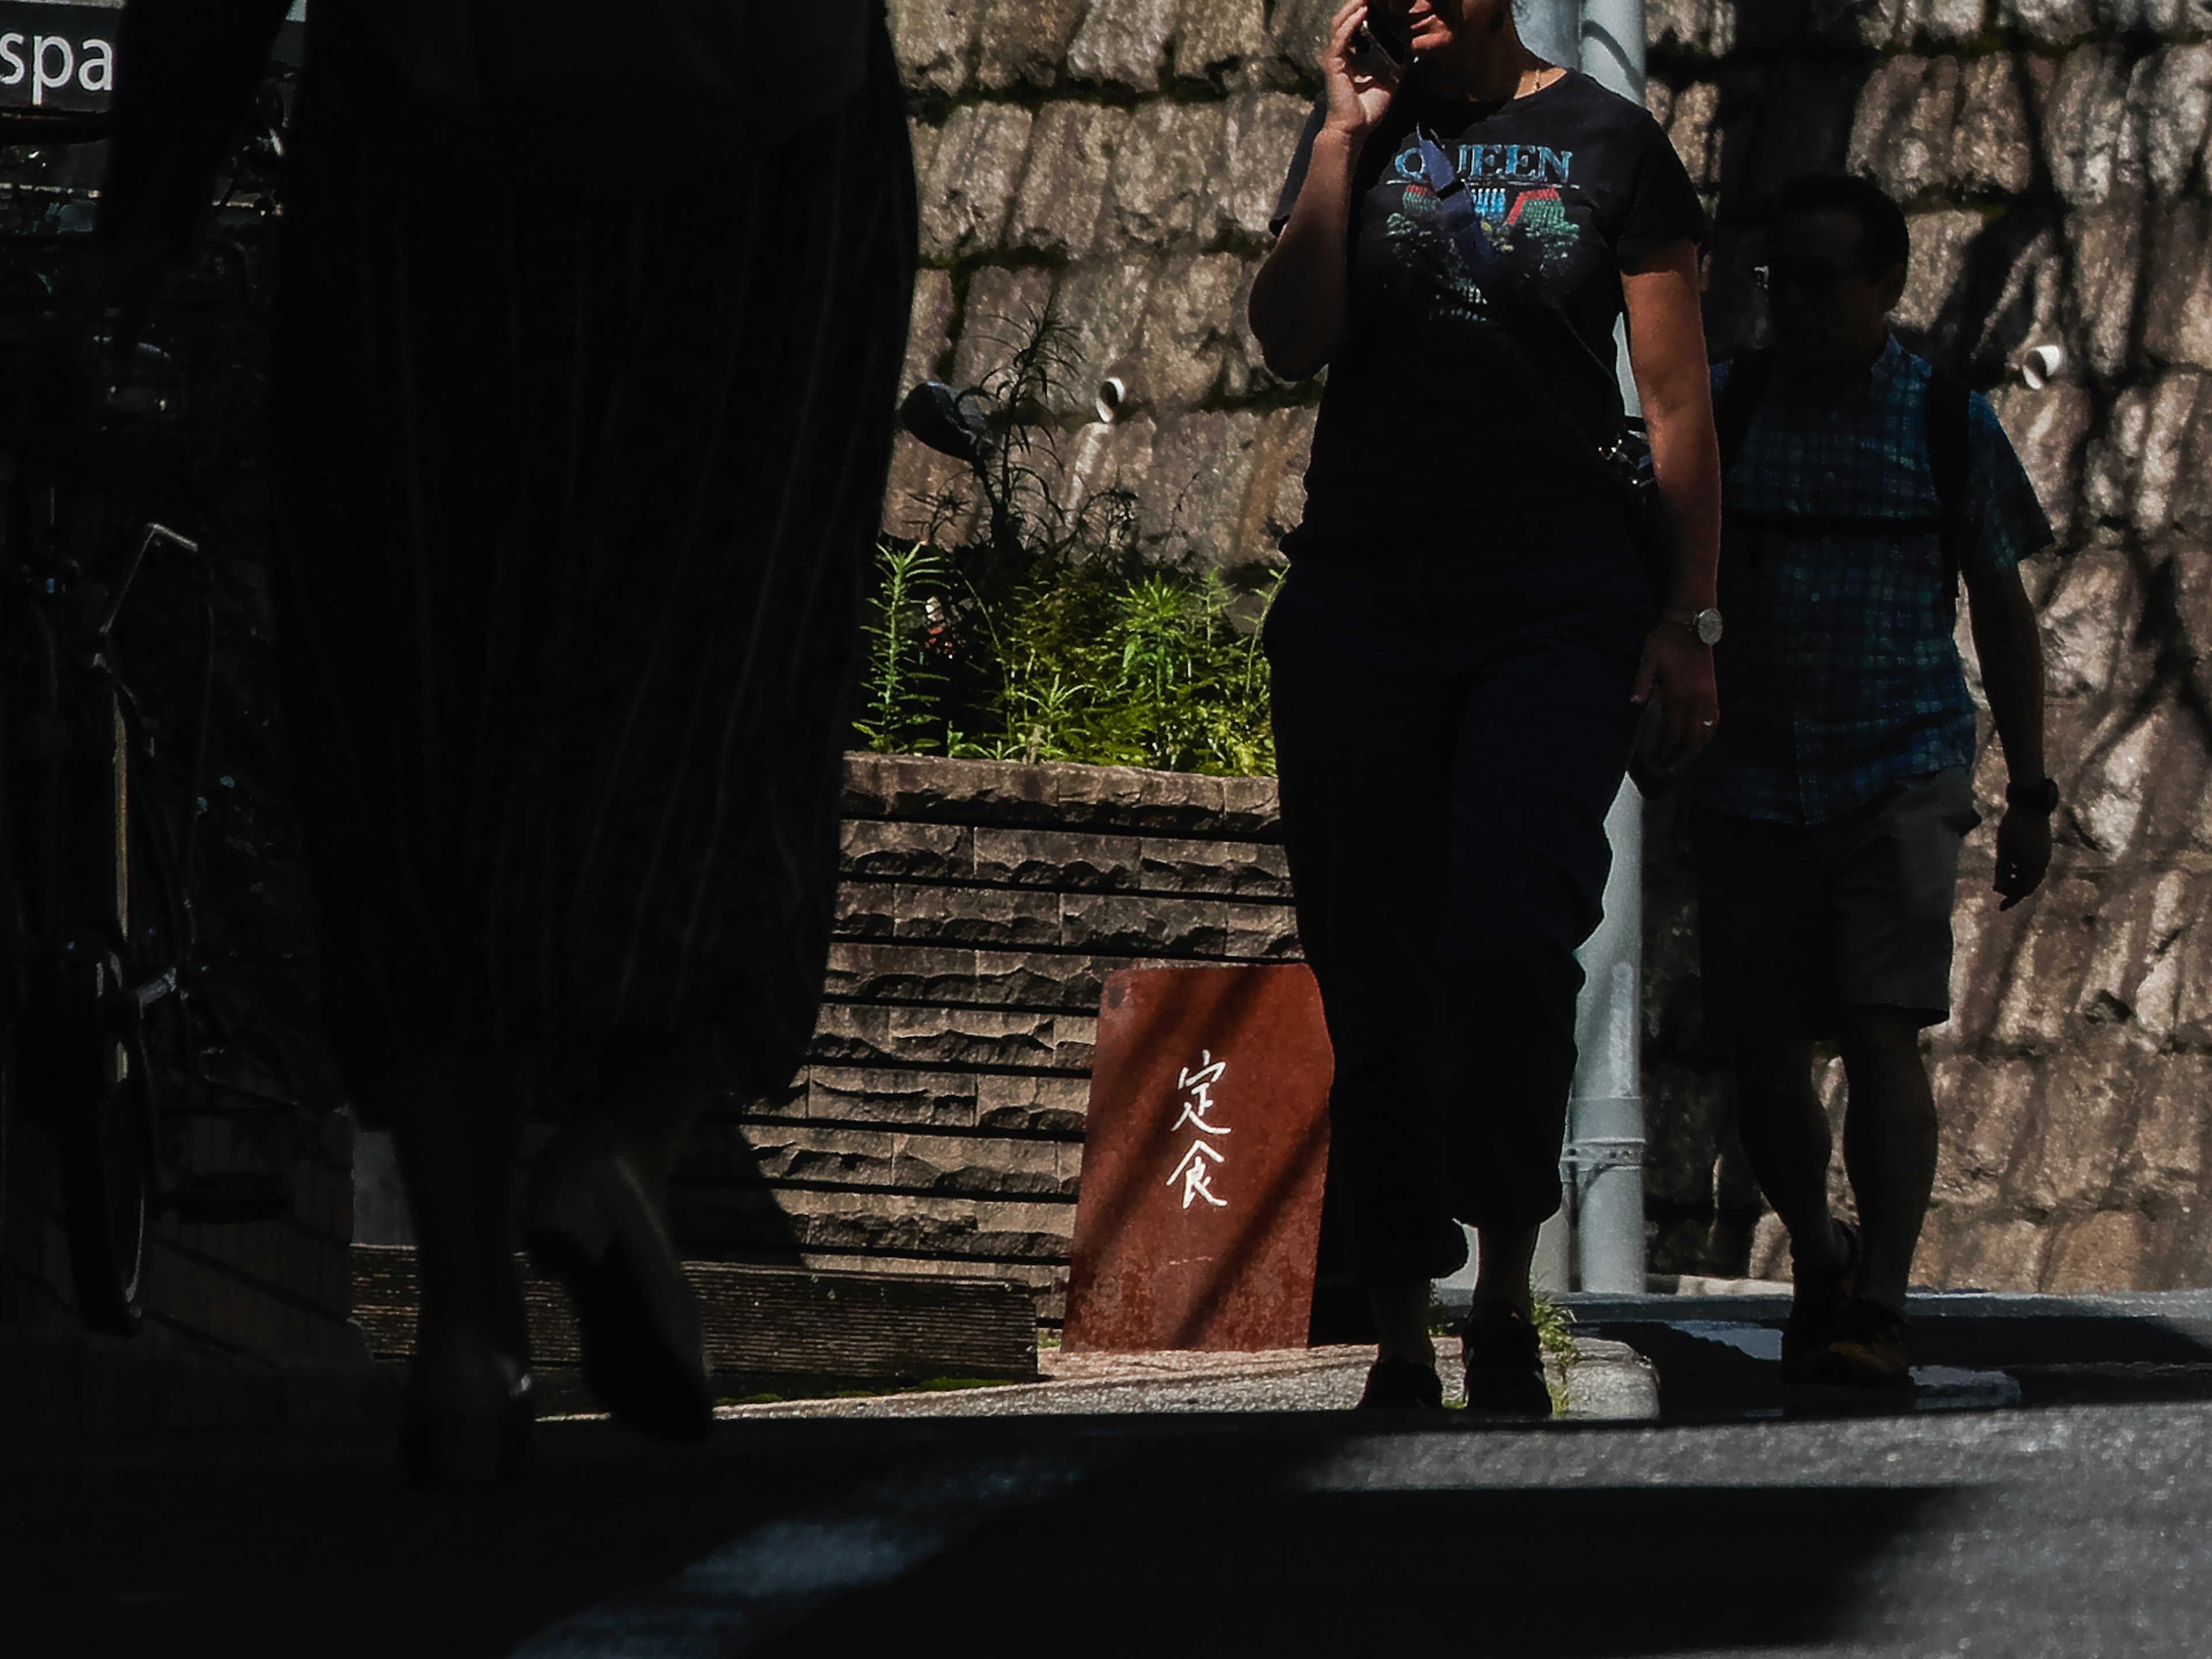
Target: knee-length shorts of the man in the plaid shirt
pixel 1804 919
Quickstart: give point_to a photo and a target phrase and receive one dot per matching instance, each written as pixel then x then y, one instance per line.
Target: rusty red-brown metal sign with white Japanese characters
pixel 1204 1158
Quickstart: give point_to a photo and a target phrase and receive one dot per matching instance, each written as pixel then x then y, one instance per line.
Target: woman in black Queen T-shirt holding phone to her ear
pixel 1472 629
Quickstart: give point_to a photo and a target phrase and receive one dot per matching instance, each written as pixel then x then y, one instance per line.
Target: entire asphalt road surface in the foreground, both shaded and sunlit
pixel 2030 1532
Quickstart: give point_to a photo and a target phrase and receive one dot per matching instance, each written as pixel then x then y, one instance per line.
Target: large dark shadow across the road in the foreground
pixel 1129 1536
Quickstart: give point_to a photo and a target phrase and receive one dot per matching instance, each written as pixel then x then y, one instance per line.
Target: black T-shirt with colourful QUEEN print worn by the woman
pixel 1479 375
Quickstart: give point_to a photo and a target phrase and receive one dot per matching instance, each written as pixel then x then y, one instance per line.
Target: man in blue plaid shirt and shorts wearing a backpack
pixel 1861 488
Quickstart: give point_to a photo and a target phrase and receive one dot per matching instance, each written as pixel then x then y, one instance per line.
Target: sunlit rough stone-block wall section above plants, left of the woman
pixel 1118 158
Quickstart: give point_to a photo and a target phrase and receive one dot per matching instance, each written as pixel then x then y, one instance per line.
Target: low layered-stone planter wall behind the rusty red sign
pixel 939 1125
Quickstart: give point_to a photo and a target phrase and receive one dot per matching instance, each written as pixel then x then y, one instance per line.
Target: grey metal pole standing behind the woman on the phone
pixel 1603 1165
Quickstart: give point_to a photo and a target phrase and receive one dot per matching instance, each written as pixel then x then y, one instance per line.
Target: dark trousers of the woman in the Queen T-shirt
pixel 1452 729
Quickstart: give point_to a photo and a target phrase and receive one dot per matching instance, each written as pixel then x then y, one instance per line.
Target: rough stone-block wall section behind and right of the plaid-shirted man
pixel 2054 163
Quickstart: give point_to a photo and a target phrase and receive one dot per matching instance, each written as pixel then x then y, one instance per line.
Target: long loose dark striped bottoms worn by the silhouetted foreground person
pixel 583 468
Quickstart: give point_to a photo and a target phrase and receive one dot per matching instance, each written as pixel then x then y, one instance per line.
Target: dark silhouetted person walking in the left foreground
pixel 589 333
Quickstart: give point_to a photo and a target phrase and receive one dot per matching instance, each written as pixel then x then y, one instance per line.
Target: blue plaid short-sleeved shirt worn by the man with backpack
pixel 1841 674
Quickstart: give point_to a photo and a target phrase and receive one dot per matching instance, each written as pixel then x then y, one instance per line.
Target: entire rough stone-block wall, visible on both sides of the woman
pixel 1120 158
